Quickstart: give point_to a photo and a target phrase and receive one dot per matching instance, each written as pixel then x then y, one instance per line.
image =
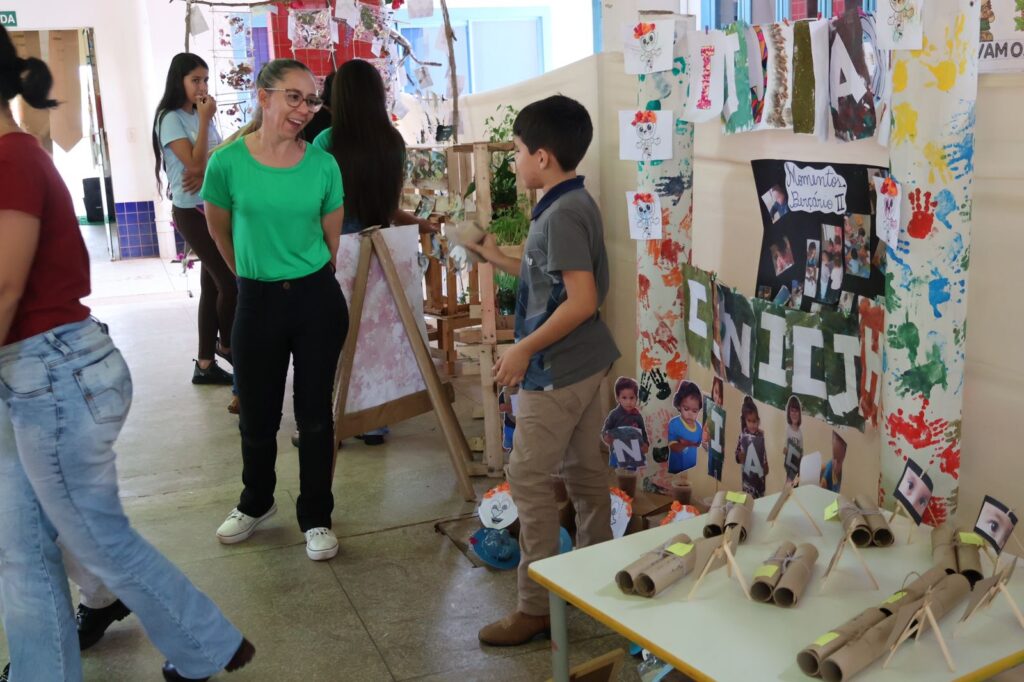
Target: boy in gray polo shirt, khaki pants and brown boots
pixel 563 353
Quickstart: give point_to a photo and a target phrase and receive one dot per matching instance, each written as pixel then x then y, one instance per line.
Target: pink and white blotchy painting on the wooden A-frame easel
pixel 385 368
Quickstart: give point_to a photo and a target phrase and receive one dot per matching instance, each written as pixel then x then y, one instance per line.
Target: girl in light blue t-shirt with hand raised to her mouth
pixel 183 137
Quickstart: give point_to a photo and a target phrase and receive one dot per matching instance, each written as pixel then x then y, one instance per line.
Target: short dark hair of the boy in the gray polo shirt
pixel 559 124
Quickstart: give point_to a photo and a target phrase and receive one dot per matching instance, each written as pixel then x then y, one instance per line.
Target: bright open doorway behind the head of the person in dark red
pixel 74 133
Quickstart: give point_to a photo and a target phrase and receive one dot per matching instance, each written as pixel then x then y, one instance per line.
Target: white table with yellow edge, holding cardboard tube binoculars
pixel 720 635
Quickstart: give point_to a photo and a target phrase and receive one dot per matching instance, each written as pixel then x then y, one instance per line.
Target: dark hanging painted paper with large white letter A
pixel 852 100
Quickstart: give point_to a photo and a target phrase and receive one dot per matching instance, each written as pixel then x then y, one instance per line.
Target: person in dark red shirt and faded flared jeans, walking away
pixel 65 395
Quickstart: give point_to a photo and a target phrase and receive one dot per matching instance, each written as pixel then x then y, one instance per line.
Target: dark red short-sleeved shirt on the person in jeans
pixel 59 278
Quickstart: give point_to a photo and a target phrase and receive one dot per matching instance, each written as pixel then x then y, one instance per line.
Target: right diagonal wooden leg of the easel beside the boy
pixel 458 448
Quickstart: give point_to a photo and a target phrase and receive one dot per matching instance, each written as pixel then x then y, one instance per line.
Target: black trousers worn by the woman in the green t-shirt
pixel 307 320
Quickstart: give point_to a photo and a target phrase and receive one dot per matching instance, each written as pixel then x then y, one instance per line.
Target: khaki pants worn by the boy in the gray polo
pixel 558 432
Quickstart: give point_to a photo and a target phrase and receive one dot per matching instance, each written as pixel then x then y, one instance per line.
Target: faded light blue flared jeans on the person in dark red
pixel 64 398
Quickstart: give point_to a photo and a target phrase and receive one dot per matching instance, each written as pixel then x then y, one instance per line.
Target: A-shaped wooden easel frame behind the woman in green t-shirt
pixel 438 397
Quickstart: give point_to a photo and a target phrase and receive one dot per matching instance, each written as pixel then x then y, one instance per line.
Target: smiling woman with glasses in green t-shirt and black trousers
pixel 275 208
